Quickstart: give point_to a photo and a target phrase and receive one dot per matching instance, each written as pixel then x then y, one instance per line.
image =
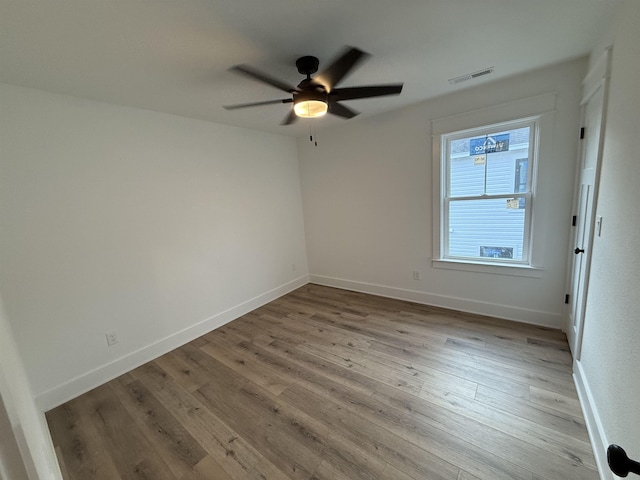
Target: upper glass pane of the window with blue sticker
pixel 489 164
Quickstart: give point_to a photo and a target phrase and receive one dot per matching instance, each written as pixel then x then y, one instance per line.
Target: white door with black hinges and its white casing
pixel 592 108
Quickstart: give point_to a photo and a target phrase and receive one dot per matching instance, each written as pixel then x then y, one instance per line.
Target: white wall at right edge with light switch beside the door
pixel 608 369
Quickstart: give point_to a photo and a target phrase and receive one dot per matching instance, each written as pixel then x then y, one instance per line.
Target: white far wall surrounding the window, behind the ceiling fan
pixel 367 196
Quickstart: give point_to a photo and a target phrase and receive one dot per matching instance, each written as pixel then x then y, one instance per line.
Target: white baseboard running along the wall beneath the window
pixel 534 317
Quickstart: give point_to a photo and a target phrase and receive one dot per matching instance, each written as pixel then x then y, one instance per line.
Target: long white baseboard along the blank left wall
pixel 87 381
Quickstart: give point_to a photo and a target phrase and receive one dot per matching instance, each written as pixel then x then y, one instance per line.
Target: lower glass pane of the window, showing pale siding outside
pixel 487 228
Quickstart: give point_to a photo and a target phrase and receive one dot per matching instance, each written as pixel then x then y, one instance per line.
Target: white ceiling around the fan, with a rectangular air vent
pixel 172 55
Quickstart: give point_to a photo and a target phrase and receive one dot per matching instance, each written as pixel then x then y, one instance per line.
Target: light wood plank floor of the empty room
pixel 329 384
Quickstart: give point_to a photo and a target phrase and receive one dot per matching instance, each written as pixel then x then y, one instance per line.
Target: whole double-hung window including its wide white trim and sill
pixel 487 164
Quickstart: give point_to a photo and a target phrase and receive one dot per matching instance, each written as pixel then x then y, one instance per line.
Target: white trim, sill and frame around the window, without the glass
pixel 540 110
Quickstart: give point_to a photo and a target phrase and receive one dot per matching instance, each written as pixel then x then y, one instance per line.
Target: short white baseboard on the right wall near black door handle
pixel 598 438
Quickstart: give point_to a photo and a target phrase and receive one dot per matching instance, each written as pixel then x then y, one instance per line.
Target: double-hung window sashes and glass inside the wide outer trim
pixel 487 193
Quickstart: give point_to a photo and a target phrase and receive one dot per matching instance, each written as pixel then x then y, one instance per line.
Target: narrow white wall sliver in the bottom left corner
pixel 27 429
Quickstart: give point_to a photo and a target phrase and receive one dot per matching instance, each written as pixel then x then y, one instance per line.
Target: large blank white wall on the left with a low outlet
pixel 157 227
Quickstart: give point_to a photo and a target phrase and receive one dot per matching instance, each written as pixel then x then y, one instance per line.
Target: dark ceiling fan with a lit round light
pixel 314 97
